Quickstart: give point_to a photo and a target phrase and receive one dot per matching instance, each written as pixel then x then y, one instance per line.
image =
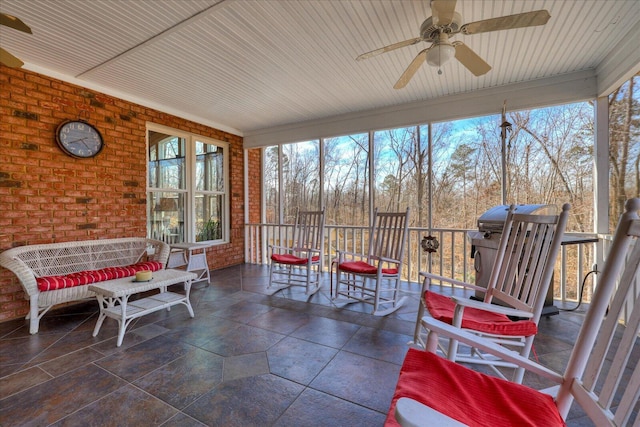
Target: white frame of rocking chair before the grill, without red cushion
pixel 522 286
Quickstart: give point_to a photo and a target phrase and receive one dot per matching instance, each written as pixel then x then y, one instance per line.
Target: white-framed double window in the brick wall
pixel 187 197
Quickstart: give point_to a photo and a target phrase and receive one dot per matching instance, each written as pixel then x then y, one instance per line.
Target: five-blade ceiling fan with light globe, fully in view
pixel 446 22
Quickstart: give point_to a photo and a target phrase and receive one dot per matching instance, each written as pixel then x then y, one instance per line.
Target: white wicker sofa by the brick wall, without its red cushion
pixel 31 263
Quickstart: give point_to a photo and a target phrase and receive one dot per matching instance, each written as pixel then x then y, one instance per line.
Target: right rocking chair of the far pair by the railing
pixel 374 277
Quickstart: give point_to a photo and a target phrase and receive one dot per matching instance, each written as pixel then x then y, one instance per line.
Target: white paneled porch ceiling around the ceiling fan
pixel 251 65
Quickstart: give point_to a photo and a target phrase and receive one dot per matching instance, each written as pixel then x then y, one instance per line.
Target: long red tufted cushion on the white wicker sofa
pixel 51 283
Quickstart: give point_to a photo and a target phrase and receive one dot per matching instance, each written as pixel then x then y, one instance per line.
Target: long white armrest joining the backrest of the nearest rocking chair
pixel 441 328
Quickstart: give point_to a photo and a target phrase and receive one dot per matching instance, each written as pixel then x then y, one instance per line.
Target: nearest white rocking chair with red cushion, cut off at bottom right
pixel 602 375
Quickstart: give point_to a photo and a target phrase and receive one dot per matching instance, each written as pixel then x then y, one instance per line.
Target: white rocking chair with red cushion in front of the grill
pixel 520 278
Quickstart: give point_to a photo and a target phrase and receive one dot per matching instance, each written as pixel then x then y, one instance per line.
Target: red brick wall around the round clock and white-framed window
pixel 47 196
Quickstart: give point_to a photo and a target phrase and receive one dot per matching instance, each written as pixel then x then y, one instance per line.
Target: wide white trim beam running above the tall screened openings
pixel 537 93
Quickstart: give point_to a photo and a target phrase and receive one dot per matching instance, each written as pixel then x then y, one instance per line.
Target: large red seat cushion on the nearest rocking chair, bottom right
pixel 470 397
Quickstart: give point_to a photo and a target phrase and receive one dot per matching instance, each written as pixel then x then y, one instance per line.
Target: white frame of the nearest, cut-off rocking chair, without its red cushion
pixel 602 376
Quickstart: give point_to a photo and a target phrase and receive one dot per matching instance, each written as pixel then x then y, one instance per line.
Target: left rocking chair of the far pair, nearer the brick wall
pixel 299 264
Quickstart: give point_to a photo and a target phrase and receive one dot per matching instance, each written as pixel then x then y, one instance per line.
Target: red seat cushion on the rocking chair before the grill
pixel 441 307
